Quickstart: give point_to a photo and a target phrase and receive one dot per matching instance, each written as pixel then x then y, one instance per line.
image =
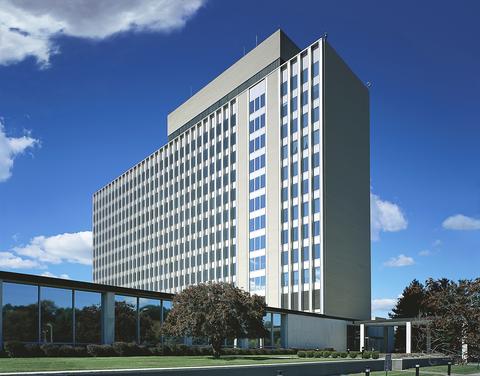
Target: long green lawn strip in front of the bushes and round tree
pixel 68 364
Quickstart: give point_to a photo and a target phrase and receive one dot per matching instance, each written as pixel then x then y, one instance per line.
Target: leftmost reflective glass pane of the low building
pixel 20 312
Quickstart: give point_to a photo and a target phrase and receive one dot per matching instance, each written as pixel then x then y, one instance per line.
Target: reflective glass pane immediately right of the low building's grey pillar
pixel 125 318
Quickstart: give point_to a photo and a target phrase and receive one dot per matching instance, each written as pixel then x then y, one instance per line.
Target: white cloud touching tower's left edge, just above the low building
pixel 68 247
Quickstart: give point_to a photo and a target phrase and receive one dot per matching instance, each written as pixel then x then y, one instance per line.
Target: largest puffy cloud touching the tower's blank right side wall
pixel 385 216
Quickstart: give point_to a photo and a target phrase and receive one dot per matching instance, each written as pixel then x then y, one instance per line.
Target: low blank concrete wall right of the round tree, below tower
pixel 315 332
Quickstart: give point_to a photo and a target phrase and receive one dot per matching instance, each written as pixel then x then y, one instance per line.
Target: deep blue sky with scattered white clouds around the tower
pixel 85 90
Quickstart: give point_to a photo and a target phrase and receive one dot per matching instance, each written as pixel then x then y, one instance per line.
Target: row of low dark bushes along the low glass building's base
pixel 15 349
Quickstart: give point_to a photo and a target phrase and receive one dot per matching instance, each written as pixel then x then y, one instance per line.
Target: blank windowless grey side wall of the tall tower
pixel 346 164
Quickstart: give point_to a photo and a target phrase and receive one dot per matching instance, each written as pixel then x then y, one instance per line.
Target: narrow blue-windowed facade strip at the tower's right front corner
pixel 301 181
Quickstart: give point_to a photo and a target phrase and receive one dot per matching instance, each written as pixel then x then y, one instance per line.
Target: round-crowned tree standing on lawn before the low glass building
pixel 217 311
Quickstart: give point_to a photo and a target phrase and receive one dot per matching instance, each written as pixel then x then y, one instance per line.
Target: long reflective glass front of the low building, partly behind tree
pixel 36 313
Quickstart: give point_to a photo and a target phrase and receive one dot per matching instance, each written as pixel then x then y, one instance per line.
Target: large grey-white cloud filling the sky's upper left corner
pixel 29 27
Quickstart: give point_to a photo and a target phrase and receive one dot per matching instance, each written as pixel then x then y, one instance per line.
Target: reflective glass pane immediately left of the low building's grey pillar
pixel 88 313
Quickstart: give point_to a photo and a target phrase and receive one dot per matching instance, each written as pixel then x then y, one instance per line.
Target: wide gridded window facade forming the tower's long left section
pixel 170 221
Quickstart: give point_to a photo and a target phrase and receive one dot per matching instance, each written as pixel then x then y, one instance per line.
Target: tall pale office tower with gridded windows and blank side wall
pixel 264 183
